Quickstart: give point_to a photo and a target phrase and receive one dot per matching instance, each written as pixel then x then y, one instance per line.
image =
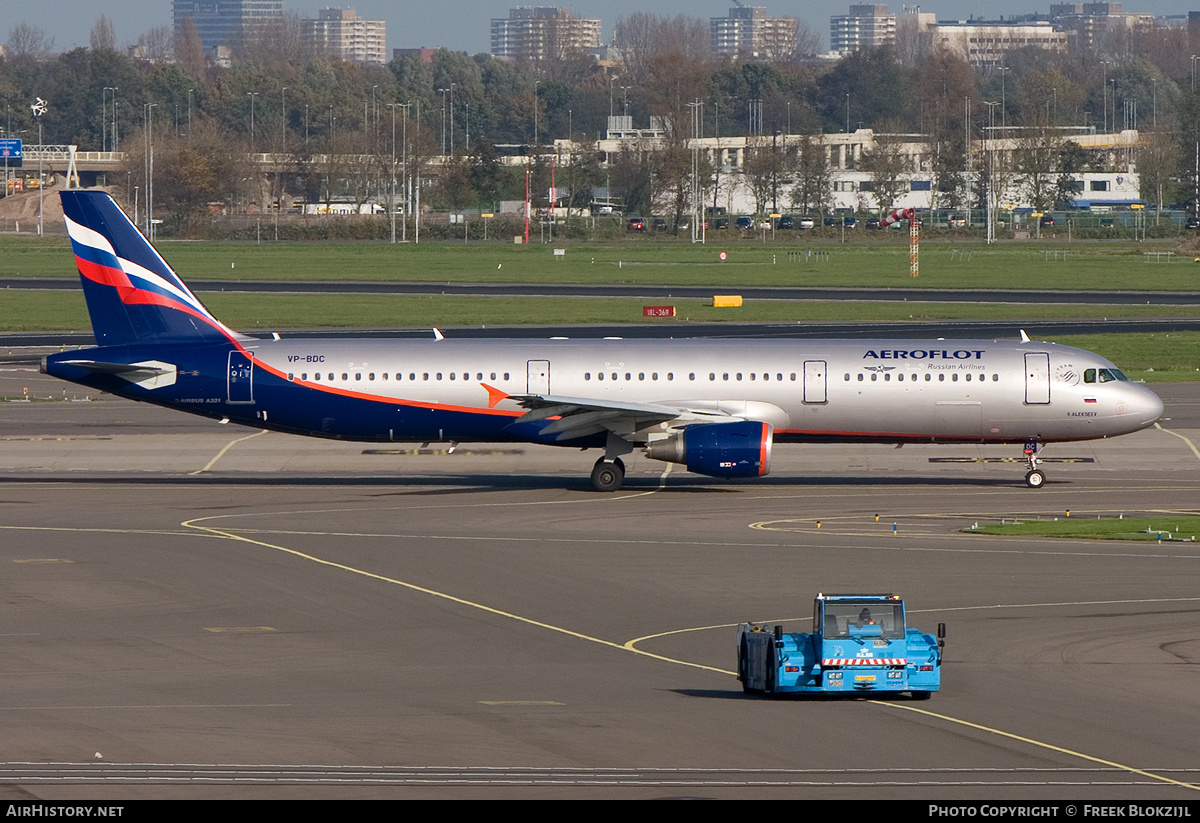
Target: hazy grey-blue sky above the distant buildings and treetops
pixel 465 27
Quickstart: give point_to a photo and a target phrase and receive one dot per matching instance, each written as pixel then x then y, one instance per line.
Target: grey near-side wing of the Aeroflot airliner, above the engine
pixel 579 417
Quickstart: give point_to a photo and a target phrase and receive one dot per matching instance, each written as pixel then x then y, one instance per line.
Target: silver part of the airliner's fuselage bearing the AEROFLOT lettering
pixel 891 391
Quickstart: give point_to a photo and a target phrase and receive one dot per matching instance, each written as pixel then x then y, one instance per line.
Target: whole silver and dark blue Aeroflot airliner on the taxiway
pixel 716 406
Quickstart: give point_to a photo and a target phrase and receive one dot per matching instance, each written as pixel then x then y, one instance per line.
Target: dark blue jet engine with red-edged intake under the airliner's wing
pixel 739 449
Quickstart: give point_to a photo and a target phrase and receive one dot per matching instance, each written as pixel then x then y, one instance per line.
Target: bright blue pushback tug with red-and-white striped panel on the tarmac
pixel 860 645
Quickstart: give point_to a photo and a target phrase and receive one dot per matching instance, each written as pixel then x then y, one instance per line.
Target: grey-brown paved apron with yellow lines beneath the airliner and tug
pixel 199 611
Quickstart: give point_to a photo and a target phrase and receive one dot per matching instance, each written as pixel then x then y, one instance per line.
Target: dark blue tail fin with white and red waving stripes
pixel 134 297
